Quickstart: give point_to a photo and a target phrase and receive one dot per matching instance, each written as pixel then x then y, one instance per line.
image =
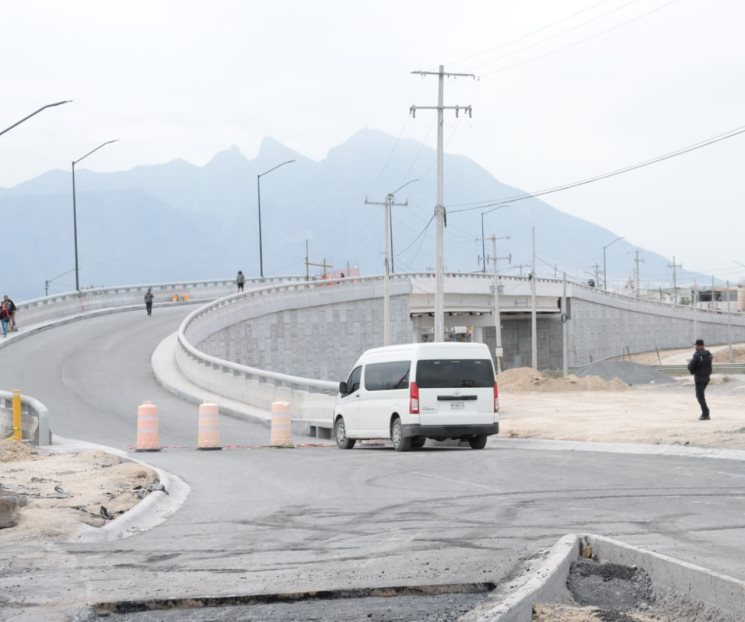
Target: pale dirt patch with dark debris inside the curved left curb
pixel 68 490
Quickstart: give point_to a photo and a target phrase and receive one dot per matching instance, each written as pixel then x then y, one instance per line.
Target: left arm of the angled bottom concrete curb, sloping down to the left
pixel 541 579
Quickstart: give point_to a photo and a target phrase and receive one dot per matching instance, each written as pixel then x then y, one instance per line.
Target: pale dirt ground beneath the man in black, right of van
pixel 654 414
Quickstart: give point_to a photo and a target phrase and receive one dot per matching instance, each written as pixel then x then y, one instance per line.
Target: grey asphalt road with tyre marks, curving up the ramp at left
pixel 263 520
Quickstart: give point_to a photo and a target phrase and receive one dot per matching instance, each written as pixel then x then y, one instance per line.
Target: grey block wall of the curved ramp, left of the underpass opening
pixel 320 342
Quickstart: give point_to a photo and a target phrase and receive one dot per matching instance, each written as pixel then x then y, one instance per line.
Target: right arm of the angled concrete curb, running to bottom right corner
pixel 714 596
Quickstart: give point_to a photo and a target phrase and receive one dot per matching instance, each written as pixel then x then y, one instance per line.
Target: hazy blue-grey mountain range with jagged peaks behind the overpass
pixel 177 221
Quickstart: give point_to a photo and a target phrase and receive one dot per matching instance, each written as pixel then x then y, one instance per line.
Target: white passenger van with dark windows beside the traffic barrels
pixel 416 391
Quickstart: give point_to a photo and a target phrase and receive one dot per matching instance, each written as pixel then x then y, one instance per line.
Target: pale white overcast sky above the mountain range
pixel 567 89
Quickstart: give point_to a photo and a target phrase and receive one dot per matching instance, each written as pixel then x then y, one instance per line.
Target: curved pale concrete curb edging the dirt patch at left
pixel 148 513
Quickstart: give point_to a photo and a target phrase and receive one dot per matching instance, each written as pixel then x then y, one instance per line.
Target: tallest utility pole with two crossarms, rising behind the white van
pixel 440 207
